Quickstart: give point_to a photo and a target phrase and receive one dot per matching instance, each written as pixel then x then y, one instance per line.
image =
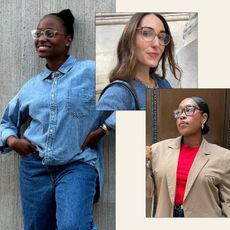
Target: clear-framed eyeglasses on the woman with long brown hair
pixel 149 34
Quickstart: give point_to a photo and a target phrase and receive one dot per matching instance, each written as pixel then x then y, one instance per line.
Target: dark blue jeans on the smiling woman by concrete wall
pixel 57 197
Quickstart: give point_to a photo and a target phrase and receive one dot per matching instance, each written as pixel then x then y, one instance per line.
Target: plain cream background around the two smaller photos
pixel 213 61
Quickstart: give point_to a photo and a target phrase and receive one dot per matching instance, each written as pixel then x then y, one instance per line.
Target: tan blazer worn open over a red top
pixel 207 192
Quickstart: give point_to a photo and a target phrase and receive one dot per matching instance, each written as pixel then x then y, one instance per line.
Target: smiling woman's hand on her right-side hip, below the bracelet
pixel 92 139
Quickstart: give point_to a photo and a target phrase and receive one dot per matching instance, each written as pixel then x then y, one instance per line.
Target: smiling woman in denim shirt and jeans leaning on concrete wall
pixel 57 180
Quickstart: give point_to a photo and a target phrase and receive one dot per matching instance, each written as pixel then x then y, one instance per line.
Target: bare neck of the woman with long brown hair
pixel 142 74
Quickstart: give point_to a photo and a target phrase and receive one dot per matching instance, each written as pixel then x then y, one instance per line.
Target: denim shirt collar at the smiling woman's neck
pixel 68 64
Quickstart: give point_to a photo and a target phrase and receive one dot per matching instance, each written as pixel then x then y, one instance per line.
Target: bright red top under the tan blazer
pixel 186 158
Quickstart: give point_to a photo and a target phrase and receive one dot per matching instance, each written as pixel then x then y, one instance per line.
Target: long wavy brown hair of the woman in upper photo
pixel 126 58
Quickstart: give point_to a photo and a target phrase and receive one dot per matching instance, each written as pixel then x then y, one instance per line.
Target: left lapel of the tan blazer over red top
pixel 172 167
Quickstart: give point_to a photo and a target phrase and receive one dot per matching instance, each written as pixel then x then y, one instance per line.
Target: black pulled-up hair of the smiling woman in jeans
pixel 68 20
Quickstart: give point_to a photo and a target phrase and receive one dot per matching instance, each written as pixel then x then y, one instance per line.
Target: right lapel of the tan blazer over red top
pixel 199 162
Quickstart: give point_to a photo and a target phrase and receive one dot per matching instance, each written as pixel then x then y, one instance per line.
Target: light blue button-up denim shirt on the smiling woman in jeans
pixel 61 106
